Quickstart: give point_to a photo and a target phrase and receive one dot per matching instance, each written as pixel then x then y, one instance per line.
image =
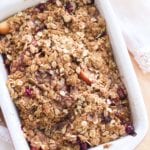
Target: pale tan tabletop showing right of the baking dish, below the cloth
pixel 144 81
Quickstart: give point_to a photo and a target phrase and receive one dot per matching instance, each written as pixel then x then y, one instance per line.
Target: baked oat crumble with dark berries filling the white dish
pixel 63 78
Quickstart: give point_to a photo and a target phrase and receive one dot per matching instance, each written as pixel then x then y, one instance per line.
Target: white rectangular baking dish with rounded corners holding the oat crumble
pixel 122 58
